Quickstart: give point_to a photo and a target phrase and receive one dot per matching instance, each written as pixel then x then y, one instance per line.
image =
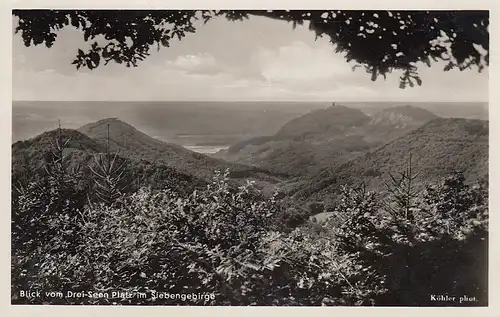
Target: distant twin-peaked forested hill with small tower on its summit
pixel 326 137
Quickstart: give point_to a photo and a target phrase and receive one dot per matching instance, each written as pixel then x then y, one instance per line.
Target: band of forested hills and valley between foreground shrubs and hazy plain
pixel 308 158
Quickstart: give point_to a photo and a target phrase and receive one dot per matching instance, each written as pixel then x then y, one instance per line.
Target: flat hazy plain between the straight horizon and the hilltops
pixel 219 124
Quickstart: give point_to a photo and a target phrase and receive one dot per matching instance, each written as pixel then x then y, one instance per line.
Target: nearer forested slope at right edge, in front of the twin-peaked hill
pixel 439 148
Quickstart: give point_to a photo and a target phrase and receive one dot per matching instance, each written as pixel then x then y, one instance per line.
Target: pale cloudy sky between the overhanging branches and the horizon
pixel 258 59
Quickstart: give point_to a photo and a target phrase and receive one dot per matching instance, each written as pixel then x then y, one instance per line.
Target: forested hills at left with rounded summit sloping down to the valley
pixel 150 161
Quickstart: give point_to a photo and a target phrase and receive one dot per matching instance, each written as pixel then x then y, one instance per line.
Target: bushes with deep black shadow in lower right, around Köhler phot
pixel 402 261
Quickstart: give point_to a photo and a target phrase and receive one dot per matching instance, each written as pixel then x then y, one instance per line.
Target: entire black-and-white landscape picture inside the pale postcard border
pixel 250 157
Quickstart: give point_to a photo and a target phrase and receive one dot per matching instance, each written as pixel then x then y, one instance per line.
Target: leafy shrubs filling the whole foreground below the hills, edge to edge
pixel 223 240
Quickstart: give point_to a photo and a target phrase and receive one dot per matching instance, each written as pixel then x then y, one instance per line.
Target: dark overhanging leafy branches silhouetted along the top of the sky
pixel 378 41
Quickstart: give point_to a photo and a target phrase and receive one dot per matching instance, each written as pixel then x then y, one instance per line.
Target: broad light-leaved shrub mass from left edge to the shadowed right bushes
pixel 219 240
